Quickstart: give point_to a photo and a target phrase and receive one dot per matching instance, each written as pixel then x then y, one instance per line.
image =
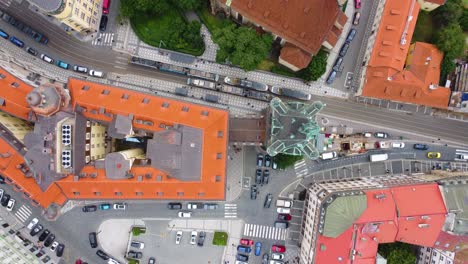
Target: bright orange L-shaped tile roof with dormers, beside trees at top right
pixel 386 77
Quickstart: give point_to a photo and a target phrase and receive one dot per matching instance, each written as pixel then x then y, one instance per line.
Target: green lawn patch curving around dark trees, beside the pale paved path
pixel 153 29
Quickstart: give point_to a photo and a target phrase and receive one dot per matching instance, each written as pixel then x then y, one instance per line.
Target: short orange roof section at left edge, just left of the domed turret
pixel 15 97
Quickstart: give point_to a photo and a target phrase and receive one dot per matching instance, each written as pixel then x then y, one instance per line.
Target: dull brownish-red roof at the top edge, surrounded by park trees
pixel 304 23
